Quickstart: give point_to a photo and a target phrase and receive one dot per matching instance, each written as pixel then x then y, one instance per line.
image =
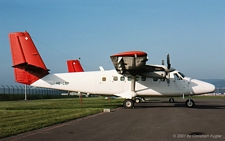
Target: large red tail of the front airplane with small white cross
pixel 27 62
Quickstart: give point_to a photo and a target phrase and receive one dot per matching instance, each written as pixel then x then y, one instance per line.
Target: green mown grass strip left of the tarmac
pixel 22 116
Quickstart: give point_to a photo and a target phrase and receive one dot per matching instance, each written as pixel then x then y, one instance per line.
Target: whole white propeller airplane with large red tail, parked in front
pixel 132 78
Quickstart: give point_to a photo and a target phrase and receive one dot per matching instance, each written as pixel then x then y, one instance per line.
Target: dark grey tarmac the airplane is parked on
pixel 149 121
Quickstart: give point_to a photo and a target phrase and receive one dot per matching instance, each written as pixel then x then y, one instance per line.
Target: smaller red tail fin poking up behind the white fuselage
pixel 74 66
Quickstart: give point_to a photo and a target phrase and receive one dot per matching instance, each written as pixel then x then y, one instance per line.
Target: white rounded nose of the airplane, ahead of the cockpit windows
pixel 201 87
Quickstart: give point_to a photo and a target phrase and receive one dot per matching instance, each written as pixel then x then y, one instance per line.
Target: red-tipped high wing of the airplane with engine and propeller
pixel 134 63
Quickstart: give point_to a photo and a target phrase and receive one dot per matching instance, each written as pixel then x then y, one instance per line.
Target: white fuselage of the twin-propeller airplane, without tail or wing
pixel 112 83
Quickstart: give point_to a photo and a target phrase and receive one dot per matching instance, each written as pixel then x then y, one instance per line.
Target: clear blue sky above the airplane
pixel 191 31
